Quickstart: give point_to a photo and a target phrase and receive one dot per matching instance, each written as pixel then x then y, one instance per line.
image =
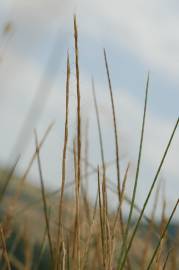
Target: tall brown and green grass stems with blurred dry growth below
pixel 72 232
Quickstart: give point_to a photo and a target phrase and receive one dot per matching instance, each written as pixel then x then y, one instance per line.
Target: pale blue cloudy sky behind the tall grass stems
pixel 139 37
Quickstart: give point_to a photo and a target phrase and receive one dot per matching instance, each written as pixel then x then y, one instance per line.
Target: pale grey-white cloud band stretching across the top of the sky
pixel 148 29
